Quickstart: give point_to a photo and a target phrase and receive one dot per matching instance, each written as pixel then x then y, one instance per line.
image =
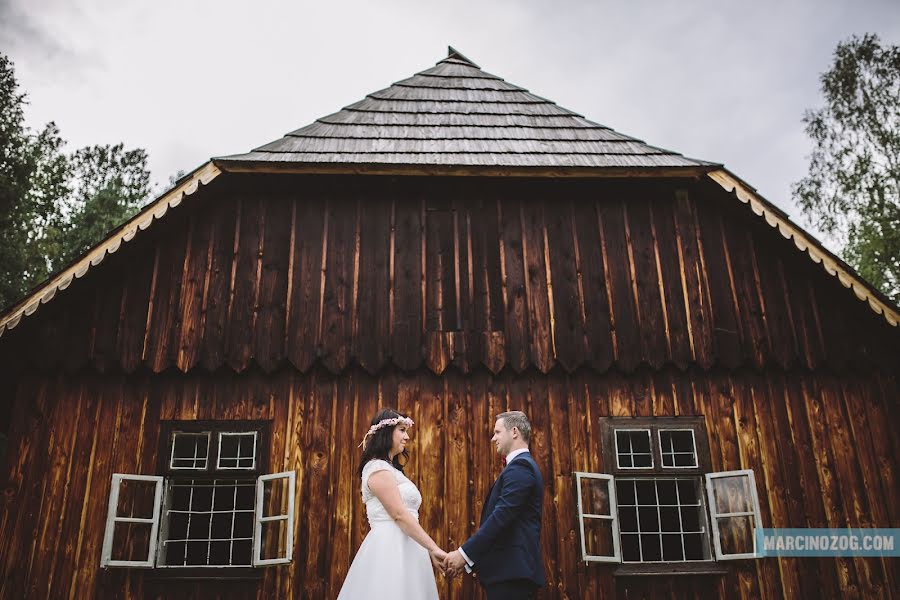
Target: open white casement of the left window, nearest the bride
pixel 281 519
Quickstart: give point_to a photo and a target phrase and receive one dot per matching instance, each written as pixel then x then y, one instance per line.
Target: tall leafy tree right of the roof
pixel 852 190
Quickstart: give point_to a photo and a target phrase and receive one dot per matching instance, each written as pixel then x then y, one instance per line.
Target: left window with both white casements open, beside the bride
pixel 210 508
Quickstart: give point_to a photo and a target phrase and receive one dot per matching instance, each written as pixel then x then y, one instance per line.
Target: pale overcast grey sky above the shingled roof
pixel 188 80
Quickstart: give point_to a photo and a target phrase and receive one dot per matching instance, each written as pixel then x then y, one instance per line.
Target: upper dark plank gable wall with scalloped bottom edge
pixel 562 274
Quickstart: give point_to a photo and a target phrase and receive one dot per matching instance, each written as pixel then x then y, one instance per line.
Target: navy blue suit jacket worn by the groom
pixel 507 546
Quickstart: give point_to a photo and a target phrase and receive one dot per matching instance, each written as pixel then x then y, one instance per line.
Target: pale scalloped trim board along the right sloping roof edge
pixel 833 265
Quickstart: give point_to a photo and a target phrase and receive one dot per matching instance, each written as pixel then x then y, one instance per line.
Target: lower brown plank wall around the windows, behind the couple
pixel 821 446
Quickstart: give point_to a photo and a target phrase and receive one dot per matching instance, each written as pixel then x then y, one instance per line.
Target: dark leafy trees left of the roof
pixel 54 206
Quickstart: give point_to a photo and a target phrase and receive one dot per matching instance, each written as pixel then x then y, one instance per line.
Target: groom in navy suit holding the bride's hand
pixel 505 552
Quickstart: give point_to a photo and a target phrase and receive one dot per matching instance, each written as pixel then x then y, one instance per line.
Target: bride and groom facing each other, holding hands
pixel 396 557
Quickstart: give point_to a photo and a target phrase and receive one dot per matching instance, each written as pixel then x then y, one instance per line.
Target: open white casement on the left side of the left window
pixel 114 519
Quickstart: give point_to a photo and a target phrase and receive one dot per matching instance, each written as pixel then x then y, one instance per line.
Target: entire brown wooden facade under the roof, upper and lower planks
pixel 312 301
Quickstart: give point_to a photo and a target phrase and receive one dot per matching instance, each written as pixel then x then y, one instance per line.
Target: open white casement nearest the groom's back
pixel 598 520
